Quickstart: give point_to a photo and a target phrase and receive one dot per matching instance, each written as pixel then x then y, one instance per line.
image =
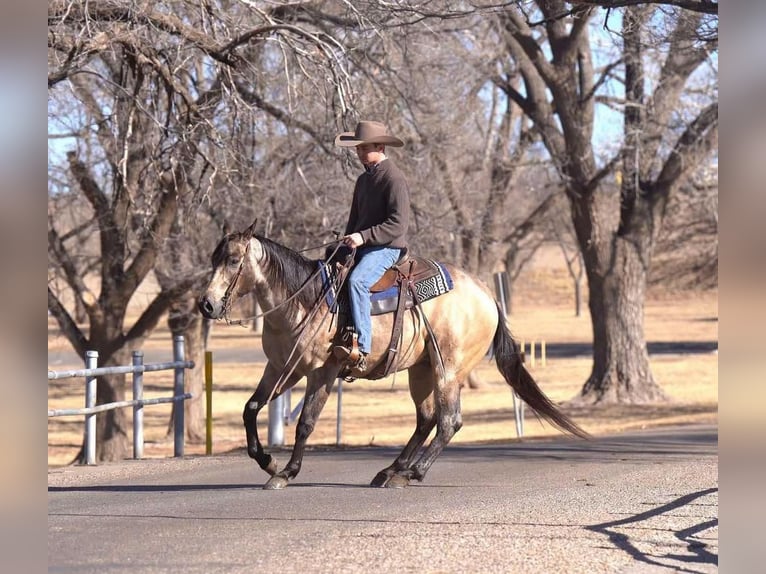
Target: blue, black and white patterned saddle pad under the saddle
pixel 385 301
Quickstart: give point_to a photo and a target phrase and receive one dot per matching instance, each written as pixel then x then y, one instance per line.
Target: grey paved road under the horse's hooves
pixel 637 503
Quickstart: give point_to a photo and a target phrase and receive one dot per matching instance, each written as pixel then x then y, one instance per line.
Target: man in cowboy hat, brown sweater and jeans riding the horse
pixel 377 226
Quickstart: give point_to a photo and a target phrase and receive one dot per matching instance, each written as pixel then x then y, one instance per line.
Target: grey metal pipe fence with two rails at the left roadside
pixel 92 370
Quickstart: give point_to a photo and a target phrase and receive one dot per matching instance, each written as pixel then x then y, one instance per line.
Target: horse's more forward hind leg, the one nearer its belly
pixel 421 391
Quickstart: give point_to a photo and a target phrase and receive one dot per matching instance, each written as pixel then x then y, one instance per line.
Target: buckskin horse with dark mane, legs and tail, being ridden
pixel 442 340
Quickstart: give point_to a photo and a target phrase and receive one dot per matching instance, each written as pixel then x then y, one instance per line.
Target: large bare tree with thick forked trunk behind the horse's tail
pixel 664 140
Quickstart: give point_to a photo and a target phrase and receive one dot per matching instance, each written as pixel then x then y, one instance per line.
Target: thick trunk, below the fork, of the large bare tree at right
pixel 621 372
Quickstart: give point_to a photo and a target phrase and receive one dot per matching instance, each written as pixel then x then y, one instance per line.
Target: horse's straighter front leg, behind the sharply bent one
pixel 318 387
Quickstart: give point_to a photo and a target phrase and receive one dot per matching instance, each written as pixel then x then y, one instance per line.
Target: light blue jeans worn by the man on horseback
pixel 371 263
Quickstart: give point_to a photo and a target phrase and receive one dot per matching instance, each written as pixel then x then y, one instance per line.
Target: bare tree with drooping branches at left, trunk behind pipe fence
pixel 138 90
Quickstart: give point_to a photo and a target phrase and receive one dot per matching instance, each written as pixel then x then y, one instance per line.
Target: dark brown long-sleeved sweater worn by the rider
pixel 380 208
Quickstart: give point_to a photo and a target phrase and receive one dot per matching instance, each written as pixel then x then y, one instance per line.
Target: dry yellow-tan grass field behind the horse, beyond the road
pixel 381 413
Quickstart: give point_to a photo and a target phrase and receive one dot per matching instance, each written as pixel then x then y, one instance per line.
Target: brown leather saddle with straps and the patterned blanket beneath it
pixel 409 282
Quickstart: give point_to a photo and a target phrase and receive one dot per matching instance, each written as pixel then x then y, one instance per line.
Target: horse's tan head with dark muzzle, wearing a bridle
pixel 233 261
